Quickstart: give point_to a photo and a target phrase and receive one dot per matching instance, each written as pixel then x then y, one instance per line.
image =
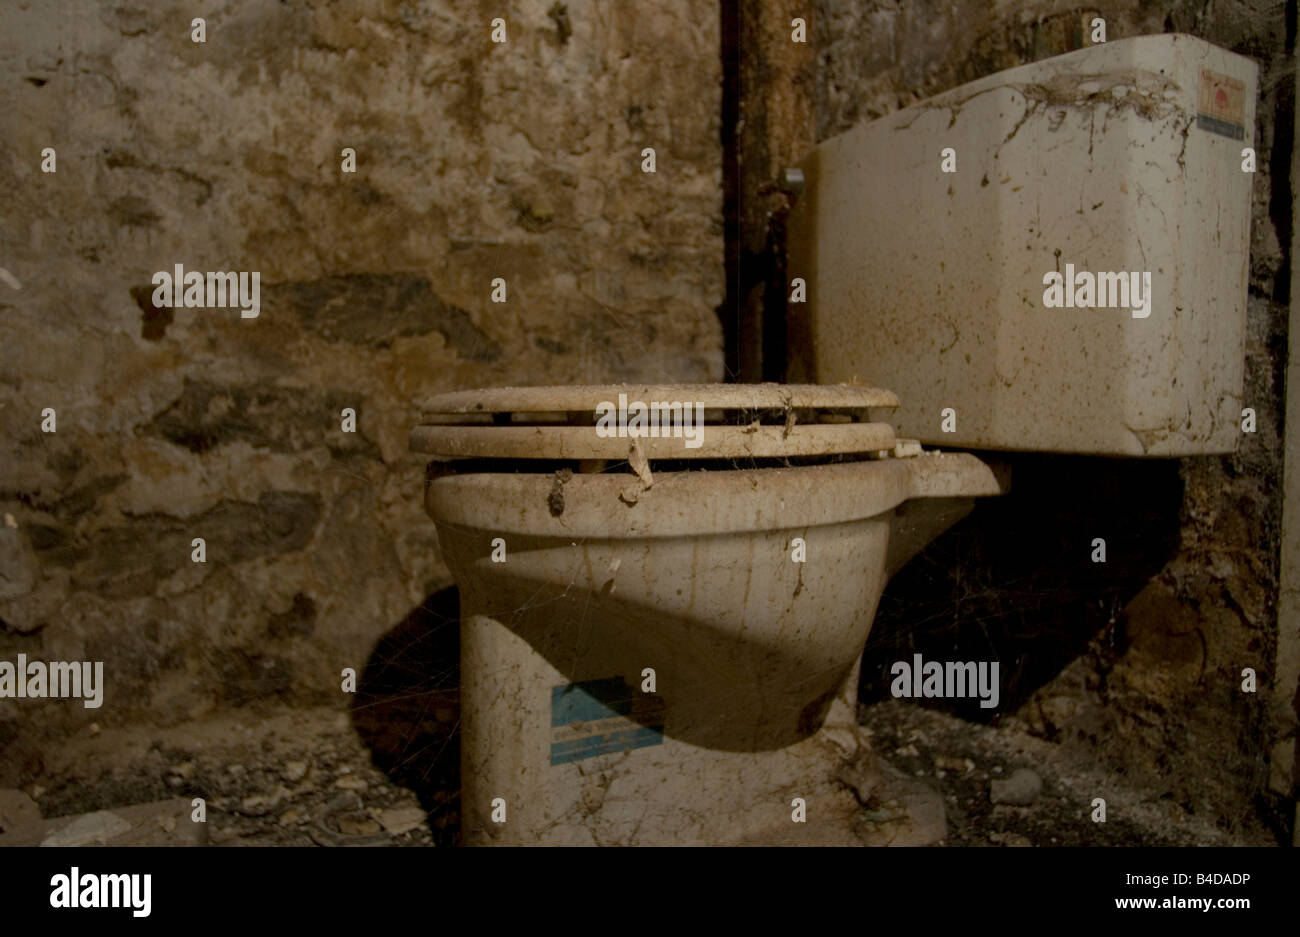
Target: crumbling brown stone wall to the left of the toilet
pixel 474 160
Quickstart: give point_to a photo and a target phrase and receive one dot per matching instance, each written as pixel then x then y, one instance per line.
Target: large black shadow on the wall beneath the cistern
pixel 1017 583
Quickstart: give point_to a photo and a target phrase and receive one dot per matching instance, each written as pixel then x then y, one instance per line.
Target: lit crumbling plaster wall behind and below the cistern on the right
pixel 1159 699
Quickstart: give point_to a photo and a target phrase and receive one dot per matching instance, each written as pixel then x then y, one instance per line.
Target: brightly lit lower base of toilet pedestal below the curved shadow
pixel 544 766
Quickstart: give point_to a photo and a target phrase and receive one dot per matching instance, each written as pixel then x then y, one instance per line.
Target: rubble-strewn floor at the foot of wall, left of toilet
pixel 276 778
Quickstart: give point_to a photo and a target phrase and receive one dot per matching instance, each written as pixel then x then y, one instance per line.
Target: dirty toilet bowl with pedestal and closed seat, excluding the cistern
pixel 636 647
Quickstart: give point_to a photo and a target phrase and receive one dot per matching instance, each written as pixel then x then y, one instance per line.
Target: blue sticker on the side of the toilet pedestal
pixel 601 717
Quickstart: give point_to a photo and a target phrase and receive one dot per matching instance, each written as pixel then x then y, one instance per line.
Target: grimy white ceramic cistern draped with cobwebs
pixel 1121 159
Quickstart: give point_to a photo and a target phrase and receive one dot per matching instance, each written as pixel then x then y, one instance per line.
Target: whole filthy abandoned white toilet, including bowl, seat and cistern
pixel 666 589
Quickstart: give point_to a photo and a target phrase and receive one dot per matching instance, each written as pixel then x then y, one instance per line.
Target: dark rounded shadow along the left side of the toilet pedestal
pixel 408 709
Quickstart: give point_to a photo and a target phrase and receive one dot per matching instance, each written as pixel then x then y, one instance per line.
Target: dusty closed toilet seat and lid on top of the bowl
pixel 740 422
